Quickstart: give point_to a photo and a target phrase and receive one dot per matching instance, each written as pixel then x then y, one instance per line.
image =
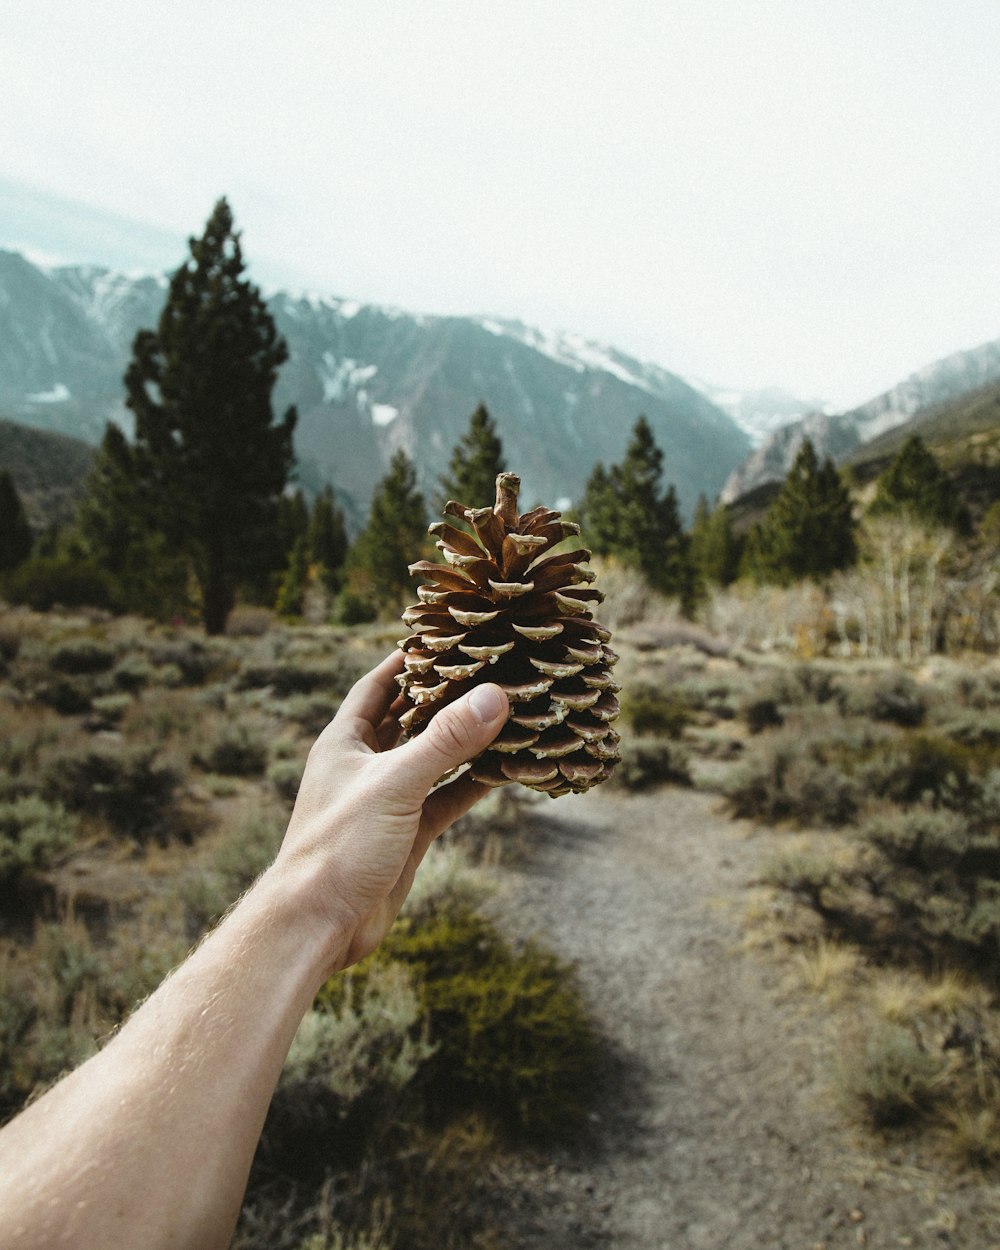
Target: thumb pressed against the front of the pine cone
pixel 456 734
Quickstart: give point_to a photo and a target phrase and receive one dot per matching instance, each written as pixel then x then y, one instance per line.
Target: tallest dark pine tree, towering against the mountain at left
pixel 211 462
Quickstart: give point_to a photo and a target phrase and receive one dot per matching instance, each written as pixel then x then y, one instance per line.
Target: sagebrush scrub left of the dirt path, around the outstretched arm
pixel 146 779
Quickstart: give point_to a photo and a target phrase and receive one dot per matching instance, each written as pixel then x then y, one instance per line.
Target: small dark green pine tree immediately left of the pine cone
pixel 393 539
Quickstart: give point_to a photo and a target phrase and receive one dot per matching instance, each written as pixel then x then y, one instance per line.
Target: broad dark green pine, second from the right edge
pixel 809 531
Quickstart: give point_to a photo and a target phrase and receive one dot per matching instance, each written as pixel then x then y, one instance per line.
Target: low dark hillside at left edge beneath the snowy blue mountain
pixel 48 469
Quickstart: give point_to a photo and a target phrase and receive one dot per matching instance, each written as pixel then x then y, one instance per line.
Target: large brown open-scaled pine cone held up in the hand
pixel 503 611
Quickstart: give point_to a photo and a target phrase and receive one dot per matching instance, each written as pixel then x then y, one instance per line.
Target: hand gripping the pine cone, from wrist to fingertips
pixel 366 814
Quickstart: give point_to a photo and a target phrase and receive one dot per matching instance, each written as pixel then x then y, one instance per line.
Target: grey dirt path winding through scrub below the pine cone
pixel 717 1129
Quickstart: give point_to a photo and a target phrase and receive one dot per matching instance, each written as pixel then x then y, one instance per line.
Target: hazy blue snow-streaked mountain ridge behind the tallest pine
pixel 369 379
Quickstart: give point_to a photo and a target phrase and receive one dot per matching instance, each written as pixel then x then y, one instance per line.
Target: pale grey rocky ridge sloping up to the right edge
pixel 838 436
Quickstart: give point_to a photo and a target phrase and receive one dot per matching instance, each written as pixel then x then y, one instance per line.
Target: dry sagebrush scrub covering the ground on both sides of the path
pixel 147 774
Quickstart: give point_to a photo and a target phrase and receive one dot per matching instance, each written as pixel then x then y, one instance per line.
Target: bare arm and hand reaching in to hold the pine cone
pixel 149 1144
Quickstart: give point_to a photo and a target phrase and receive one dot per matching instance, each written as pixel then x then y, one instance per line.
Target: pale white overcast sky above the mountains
pixel 794 192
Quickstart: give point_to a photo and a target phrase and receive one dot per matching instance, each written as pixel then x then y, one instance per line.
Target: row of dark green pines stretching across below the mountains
pixel 198 513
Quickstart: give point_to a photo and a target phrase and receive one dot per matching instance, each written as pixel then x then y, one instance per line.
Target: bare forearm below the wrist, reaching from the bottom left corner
pixel 156 1134
